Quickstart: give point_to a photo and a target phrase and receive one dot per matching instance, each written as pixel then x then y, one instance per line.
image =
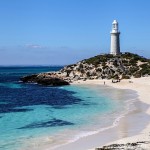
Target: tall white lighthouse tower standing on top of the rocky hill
pixel 115 41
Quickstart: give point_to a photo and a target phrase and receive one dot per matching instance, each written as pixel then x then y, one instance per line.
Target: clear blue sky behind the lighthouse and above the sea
pixel 60 32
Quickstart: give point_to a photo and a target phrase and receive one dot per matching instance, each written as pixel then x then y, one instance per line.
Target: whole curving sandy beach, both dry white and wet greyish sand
pixel 132 131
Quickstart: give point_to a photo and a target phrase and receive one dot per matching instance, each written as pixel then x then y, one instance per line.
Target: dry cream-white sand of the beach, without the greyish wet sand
pixel 142 86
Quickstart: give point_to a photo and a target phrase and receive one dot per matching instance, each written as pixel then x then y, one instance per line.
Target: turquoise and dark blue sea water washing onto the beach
pixel 42 117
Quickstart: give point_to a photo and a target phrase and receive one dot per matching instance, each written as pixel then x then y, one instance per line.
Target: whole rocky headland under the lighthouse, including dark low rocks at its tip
pixel 107 66
